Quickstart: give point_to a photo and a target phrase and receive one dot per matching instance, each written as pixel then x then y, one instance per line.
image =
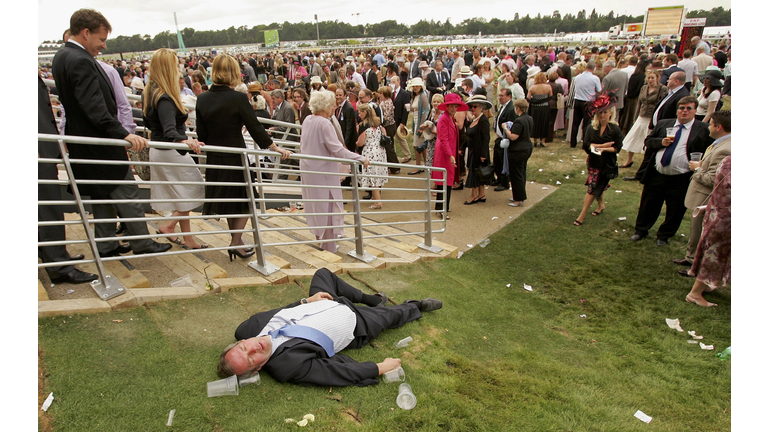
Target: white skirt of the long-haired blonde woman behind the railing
pixel 173 175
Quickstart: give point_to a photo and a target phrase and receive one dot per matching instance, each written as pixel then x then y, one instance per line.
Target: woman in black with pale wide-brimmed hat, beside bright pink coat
pixel 478 136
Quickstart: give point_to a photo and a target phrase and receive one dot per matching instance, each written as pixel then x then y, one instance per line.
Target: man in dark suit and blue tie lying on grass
pixel 298 343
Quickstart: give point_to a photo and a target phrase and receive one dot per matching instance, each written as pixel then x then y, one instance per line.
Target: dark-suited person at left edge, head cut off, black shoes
pixel 46 124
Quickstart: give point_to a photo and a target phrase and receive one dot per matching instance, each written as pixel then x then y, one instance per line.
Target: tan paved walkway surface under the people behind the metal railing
pixel 152 279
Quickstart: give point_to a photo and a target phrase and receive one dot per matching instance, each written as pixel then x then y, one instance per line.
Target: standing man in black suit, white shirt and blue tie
pixel 666 179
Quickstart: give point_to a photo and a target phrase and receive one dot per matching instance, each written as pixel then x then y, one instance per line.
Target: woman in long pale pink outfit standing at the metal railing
pixel 319 138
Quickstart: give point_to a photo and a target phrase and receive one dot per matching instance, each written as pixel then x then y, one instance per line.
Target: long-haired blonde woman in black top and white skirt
pixel 164 116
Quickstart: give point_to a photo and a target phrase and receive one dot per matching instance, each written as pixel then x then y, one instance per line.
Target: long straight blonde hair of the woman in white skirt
pixel 163 79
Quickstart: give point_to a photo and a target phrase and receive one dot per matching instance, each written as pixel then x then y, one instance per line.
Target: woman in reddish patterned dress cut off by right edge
pixel 712 265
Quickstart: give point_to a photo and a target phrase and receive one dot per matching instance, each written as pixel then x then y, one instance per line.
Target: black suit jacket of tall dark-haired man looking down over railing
pixel 89 100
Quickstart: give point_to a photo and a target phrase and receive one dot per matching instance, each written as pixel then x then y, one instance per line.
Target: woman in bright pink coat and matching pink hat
pixel 446 147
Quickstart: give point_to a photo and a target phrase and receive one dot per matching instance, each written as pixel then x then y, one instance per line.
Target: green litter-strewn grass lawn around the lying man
pixel 493 359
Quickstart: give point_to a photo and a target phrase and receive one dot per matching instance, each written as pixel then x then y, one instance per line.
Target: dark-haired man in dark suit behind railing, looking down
pixel 89 100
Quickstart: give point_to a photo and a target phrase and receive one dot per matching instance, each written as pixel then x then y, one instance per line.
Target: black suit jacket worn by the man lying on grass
pixel 303 362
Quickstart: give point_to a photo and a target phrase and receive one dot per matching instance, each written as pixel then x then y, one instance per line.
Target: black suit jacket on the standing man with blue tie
pixel 698 141
